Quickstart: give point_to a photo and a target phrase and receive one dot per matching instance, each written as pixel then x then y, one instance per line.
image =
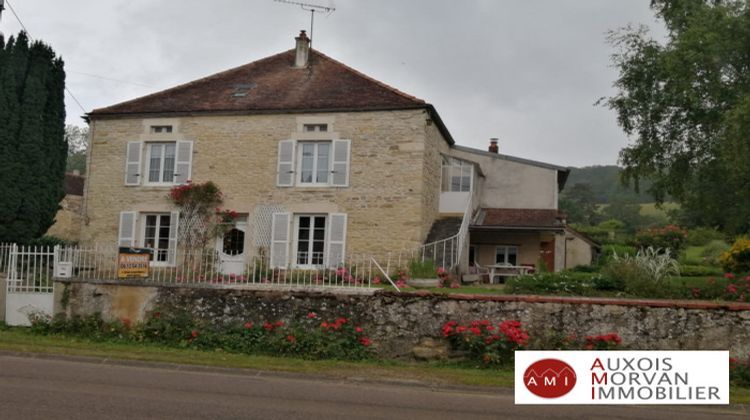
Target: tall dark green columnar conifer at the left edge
pixel 33 148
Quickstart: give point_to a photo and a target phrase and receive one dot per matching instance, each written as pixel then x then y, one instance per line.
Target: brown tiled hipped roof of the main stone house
pixel 273 84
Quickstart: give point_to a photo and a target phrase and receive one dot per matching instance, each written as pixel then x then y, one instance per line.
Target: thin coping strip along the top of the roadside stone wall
pixel 317 291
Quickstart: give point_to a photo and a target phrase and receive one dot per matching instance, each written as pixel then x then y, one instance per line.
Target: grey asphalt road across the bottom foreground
pixel 49 388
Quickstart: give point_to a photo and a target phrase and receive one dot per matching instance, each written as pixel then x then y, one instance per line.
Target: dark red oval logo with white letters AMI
pixel 549 378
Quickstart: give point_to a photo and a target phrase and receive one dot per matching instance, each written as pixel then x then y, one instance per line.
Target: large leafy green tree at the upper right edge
pixel 685 104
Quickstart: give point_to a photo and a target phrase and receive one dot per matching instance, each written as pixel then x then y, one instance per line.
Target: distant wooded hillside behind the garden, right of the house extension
pixel 605 183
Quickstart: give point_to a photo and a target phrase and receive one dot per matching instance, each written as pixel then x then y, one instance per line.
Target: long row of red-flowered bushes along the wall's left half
pixel 309 337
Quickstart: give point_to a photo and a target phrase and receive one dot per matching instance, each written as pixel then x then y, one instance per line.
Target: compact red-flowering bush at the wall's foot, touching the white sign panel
pixel 492 345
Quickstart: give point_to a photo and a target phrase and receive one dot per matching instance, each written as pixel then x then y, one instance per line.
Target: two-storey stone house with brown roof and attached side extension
pixel 320 161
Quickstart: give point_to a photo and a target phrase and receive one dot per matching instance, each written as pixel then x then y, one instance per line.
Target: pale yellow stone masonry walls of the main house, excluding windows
pixel 391 200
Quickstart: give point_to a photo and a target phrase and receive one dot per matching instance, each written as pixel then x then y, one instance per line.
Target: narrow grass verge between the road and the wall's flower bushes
pixel 22 341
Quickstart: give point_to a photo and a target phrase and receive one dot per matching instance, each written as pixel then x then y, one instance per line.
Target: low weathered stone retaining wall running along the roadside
pixel 408 324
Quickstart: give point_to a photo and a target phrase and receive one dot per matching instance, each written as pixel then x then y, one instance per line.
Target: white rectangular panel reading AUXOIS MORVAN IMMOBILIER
pixel 622 377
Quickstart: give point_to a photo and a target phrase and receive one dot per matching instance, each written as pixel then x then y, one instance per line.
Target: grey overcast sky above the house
pixel 527 72
